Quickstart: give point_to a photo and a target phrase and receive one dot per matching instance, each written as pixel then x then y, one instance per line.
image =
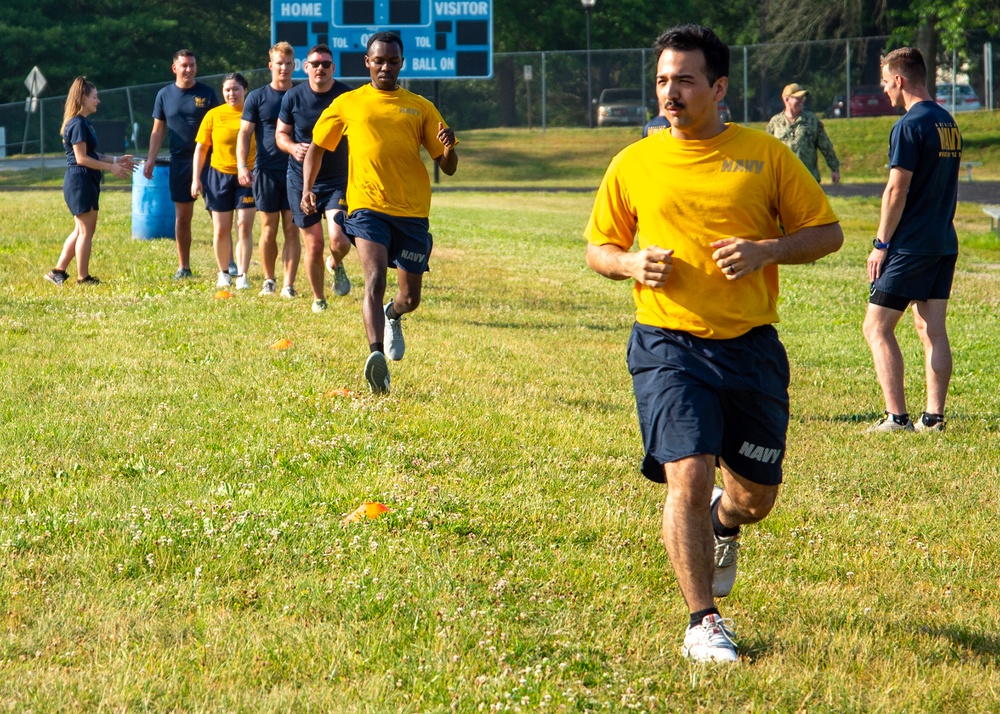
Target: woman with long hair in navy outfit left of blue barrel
pixel 82 185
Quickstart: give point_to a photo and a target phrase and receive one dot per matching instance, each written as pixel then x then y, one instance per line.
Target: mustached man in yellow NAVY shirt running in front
pixel 715 208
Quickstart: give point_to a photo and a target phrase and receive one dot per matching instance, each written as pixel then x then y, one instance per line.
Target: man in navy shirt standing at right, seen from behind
pixel 916 247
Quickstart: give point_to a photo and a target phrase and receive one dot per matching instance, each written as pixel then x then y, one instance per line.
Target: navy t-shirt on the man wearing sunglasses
pixel 301 108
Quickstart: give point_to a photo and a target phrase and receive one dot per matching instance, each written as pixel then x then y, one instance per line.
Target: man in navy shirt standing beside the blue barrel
pixel 177 113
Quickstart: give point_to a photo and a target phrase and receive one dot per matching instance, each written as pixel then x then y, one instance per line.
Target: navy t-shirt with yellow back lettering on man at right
pixel 927 142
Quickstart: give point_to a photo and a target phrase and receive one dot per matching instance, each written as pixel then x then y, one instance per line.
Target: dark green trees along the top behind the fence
pixel 127 42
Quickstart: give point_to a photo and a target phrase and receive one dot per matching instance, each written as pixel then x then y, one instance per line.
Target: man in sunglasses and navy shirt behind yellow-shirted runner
pixel 300 109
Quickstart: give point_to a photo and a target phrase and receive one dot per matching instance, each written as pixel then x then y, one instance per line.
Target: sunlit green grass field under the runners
pixel 172 491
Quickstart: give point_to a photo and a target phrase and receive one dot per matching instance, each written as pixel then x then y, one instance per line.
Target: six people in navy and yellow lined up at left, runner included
pixel 262 152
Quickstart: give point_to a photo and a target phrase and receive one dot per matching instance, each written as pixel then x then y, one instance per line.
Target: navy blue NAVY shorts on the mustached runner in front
pixel 695 396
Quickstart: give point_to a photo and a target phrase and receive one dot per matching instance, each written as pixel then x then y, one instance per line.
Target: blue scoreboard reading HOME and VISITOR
pixel 442 39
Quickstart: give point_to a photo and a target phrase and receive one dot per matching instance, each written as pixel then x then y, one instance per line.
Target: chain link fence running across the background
pixel 541 90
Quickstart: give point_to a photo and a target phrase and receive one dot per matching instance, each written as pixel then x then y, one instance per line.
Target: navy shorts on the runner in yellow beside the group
pixel 407 240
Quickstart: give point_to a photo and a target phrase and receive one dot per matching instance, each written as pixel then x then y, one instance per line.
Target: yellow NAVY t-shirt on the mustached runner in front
pixel 684 195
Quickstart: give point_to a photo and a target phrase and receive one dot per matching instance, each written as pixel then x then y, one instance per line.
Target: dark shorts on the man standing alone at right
pixel 906 277
